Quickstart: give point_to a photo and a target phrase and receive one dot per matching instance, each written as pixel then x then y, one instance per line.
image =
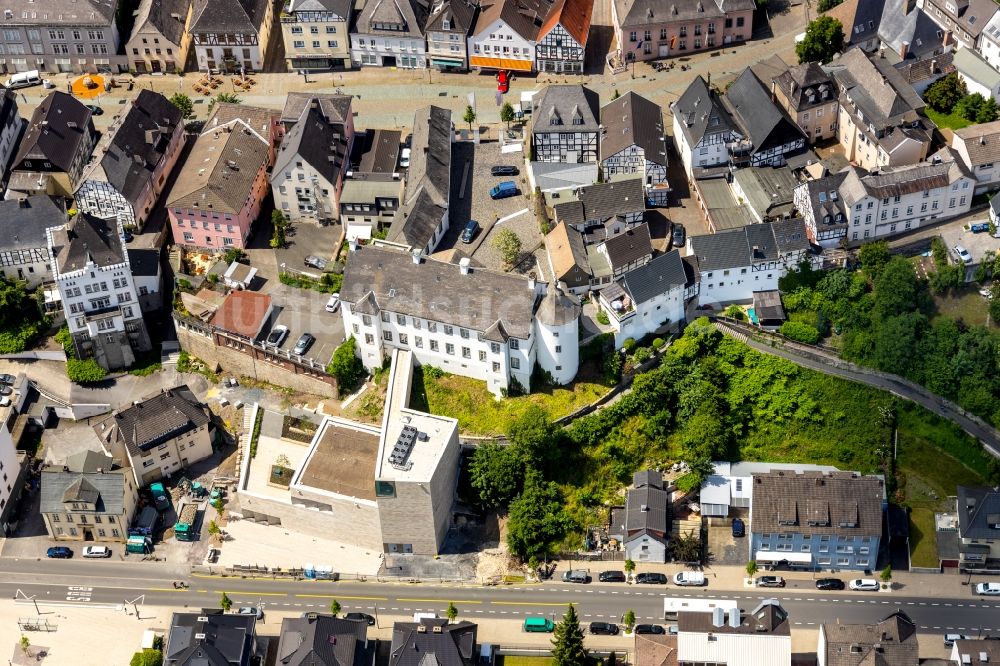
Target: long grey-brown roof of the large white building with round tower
pixel 437 291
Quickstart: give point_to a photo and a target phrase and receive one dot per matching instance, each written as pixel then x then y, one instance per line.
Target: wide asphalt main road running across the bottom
pixel 95 583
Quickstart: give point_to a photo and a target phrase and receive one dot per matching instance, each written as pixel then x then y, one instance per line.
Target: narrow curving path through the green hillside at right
pixel 830 365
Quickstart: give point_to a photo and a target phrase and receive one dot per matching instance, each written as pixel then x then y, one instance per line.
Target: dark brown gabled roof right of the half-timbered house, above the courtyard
pixel 633 120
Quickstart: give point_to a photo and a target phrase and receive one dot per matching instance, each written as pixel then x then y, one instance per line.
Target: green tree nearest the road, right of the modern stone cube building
pixel 537 519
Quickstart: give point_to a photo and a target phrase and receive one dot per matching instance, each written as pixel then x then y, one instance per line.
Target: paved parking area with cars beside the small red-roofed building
pixel 303 311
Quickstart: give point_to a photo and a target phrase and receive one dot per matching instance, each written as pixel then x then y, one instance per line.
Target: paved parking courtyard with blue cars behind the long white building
pixel 473 162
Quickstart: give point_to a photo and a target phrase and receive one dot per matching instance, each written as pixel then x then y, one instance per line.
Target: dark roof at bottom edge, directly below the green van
pixel 438 643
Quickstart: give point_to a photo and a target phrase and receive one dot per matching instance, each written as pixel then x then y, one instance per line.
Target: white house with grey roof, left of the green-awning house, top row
pixel 390 33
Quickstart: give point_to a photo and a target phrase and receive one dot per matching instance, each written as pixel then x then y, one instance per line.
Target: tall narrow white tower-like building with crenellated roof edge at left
pixel 91 270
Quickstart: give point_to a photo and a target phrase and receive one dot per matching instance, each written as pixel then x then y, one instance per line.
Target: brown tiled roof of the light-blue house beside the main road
pixel 841 503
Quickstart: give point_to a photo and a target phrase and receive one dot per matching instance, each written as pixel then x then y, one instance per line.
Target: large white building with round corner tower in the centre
pixel 468 321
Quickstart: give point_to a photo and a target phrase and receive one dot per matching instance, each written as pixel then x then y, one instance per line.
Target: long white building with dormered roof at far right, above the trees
pixel 895 200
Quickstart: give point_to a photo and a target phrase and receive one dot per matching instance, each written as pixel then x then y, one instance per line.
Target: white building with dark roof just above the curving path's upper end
pixel 735 263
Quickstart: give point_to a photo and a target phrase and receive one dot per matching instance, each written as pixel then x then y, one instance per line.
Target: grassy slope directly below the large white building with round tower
pixel 479 413
